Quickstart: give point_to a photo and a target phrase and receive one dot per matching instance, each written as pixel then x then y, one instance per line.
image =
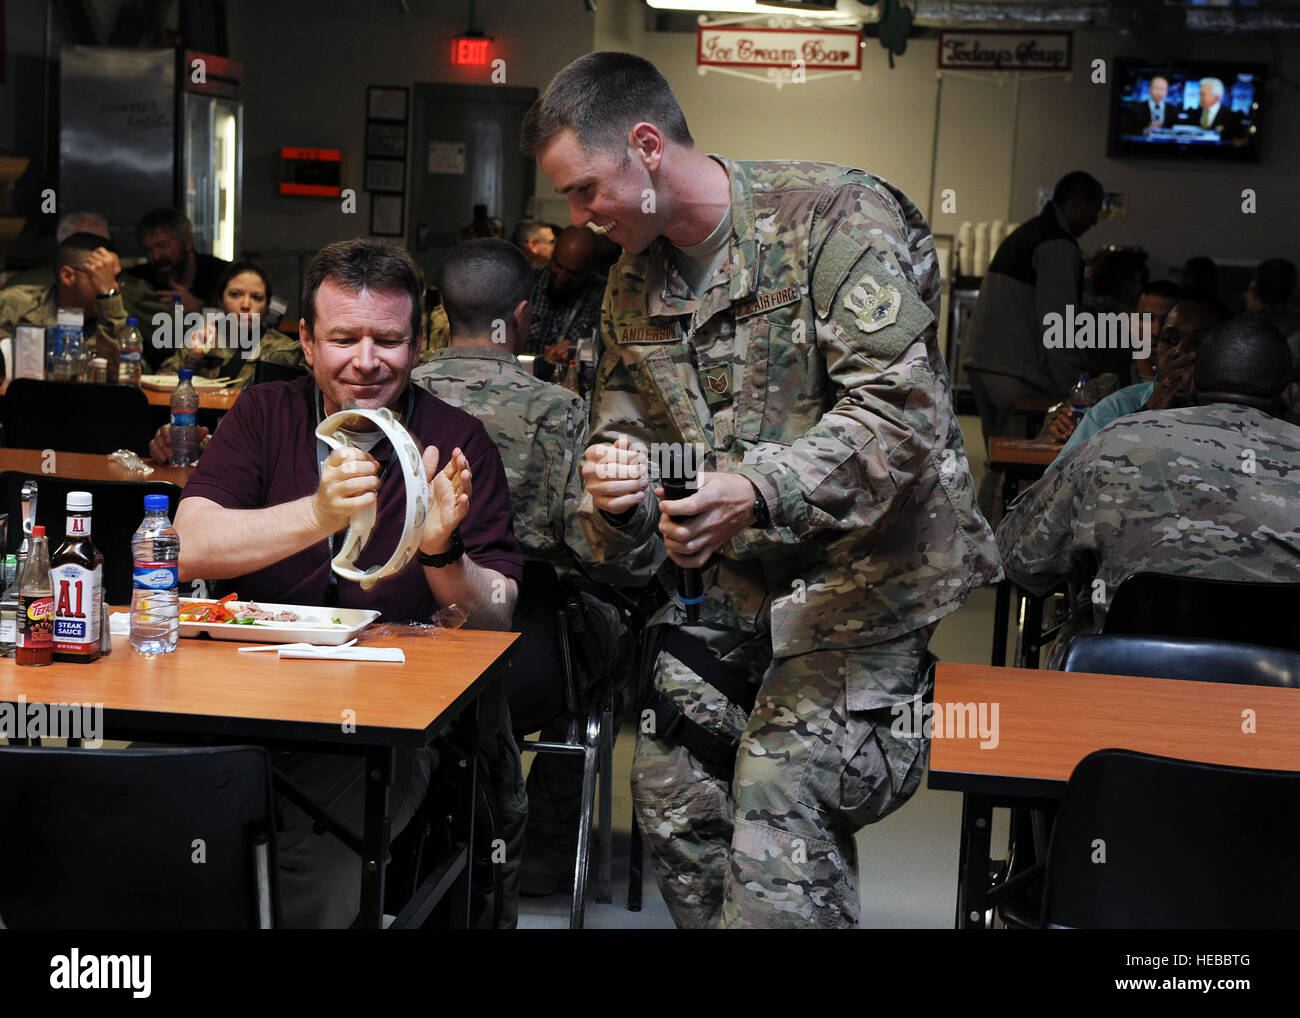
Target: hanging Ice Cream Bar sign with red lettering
pixel 807 49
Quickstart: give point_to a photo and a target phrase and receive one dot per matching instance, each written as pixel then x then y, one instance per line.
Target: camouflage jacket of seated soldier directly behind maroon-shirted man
pixel 540 431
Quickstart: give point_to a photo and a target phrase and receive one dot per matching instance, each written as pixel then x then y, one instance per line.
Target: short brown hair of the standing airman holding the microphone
pixel 600 97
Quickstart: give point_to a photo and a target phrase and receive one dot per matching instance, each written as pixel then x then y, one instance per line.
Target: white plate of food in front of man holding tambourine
pixel 265 623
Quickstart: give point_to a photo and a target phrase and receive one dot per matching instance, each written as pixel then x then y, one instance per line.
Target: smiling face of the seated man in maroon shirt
pixel 362 348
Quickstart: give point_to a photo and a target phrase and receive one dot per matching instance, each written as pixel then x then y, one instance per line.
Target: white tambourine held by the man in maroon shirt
pixel 363 521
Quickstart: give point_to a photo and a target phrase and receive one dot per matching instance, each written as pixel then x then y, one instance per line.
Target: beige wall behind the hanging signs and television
pixel 886 124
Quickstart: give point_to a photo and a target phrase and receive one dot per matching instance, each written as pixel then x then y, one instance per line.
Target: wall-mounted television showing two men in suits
pixel 1188 111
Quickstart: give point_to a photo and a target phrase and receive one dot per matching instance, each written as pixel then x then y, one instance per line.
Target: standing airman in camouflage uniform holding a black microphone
pixel 835 492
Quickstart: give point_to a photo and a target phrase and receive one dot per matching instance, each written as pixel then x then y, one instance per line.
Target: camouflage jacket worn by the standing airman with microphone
pixel 811 366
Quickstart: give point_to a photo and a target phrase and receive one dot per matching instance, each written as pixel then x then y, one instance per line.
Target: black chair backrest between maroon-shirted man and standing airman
pixel 535 675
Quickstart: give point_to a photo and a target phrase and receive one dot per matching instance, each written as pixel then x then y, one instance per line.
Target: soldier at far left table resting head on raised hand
pixel 88 279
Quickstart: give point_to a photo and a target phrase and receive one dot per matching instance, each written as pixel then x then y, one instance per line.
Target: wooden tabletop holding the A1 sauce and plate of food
pixel 209 687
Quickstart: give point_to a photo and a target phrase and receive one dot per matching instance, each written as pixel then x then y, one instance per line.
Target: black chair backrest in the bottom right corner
pixel 1156 843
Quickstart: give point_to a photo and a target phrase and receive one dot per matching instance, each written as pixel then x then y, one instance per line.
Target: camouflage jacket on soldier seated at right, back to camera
pixel 1208 492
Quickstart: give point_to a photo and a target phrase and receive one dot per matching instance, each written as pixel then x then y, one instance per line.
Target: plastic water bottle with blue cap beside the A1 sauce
pixel 155 553
